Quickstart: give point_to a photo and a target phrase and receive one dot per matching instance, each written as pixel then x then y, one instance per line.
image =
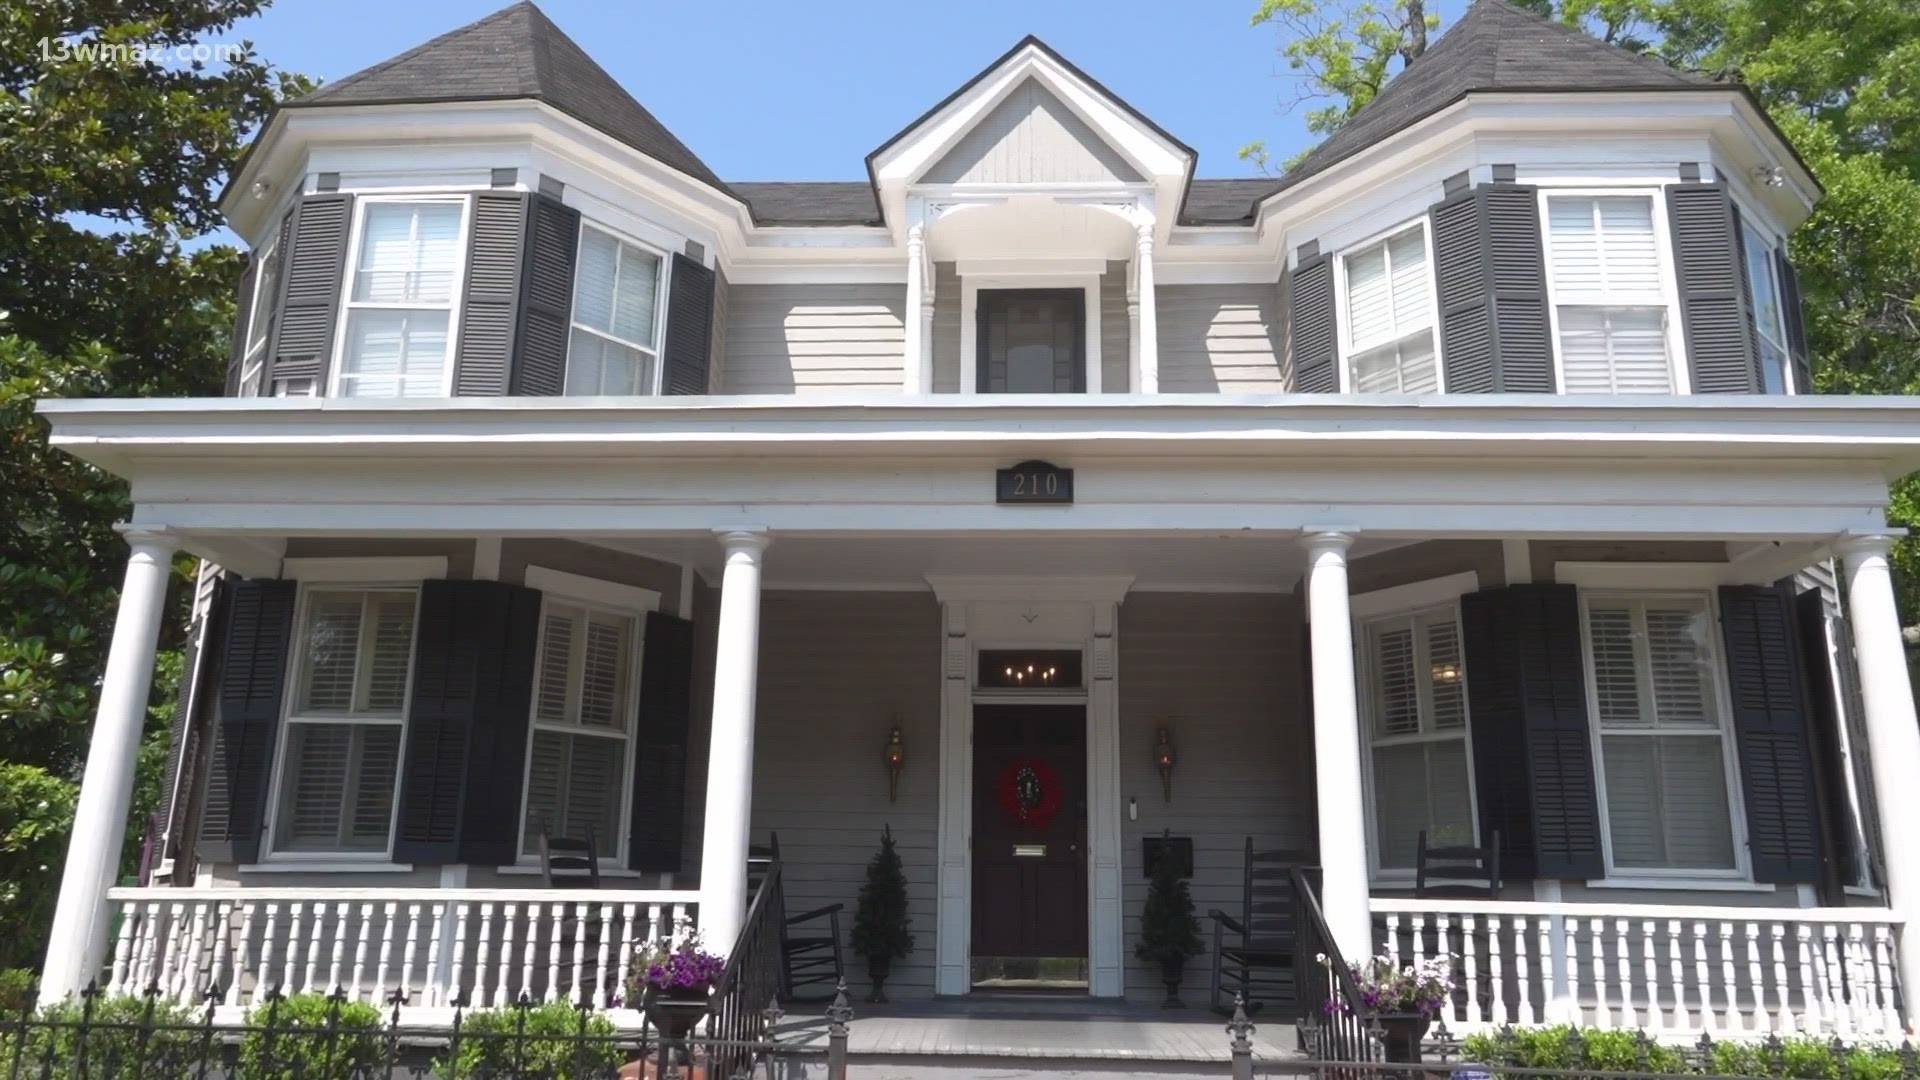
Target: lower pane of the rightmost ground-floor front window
pixel 1668 802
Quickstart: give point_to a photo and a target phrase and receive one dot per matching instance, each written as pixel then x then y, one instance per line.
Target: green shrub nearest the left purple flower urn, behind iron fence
pixel 496 1044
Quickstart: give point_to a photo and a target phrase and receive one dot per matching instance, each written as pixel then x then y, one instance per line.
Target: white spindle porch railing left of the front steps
pixel 437 948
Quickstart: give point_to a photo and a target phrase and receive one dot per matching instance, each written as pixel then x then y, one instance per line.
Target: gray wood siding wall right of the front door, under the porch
pixel 1224 675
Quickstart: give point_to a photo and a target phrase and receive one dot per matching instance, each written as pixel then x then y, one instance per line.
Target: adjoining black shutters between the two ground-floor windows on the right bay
pixel 1531 749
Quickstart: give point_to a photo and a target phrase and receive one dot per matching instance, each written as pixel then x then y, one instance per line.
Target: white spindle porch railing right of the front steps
pixel 1673 971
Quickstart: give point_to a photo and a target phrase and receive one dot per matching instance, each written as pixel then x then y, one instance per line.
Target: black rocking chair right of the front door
pixel 1257 954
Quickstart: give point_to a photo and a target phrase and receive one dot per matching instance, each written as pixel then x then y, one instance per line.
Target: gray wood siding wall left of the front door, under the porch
pixel 838 670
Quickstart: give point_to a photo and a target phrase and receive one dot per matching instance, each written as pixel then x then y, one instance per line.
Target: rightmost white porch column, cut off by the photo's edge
pixel 1894 739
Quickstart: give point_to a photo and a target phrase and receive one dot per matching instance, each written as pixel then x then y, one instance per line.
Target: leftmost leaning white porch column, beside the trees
pixel 78 945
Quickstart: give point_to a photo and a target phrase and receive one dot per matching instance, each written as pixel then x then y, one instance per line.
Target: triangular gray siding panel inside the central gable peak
pixel 1030 137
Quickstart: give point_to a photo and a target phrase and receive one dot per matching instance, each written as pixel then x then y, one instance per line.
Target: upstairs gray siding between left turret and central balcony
pixel 796 339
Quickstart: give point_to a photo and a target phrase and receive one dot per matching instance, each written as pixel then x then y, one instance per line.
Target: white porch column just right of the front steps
pixel 1343 839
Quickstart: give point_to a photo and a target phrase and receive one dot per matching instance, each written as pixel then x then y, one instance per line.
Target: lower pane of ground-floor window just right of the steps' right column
pixel 1422 787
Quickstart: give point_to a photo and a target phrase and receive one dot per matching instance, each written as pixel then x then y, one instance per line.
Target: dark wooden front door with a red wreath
pixel 1030 831
